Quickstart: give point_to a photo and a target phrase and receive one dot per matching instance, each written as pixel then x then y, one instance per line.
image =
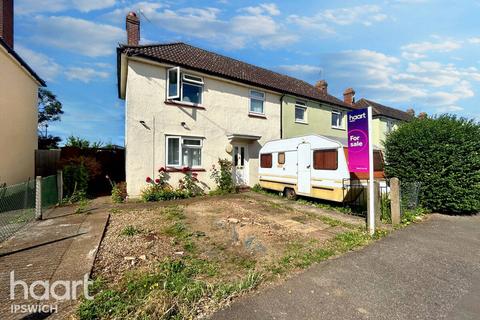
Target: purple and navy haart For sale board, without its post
pixel 358 149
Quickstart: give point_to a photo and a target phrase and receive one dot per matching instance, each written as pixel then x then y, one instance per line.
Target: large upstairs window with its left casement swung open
pixel 184 87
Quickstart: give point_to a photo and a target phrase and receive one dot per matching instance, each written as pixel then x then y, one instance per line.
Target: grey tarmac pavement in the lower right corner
pixel 429 270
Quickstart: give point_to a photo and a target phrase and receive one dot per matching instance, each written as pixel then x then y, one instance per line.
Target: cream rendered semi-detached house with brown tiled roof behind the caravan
pixel 188 107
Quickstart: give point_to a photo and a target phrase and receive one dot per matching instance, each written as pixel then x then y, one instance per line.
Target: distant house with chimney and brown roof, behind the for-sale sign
pixel 385 119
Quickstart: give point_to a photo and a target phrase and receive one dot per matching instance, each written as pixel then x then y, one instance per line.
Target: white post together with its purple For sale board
pixel 360 153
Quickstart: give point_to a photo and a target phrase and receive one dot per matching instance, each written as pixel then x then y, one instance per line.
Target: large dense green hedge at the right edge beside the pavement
pixel 441 153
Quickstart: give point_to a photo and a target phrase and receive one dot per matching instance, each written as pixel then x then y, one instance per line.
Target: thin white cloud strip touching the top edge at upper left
pixel 35 6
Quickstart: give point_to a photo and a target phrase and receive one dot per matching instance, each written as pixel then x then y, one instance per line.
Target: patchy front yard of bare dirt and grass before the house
pixel 186 259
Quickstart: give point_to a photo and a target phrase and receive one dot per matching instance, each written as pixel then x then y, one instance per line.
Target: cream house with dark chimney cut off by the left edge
pixel 18 106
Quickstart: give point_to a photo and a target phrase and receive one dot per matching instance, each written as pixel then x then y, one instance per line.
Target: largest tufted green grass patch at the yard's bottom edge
pixel 174 290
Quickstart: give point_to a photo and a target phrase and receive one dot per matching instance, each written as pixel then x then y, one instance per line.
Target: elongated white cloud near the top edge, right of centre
pixel 364 14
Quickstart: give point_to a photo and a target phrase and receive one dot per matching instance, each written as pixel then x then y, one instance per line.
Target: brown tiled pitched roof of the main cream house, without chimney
pixel 188 56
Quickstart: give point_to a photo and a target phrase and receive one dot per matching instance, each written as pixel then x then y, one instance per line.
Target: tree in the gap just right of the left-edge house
pixel 49 110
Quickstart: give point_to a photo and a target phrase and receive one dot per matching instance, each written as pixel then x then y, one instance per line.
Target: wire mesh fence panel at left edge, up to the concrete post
pixel 17 207
